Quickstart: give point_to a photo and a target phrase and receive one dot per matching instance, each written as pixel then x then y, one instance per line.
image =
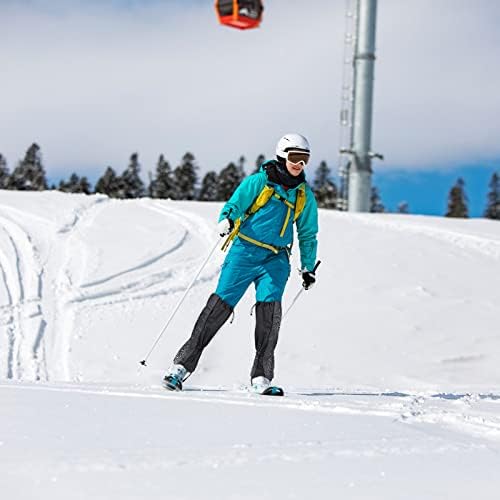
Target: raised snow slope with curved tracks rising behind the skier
pixel 402 302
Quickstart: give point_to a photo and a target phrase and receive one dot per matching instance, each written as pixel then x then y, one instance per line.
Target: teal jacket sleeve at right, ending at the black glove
pixel 307 229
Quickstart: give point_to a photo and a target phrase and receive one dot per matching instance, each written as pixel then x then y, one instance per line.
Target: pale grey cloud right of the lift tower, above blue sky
pixel 436 98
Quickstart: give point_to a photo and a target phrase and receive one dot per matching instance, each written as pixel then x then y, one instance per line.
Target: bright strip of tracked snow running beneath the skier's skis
pixel 469 414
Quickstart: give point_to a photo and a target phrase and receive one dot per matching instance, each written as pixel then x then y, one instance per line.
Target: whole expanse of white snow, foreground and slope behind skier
pixel 391 362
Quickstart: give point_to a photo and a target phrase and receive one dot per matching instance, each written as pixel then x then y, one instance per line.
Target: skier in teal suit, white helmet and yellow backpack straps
pixel 258 220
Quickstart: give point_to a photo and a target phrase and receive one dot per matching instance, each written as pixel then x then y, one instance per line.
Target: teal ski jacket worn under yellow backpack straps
pixel 266 224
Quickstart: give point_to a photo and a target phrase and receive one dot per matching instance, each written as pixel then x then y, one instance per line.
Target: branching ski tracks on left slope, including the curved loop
pixel 44 299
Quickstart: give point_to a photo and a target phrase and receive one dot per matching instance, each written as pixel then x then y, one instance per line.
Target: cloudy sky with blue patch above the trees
pixel 94 81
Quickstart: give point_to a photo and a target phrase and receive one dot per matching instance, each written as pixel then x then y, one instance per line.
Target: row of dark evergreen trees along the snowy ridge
pixel 183 183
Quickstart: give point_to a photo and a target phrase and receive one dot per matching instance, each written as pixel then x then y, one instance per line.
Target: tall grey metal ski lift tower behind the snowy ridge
pixel 357 176
